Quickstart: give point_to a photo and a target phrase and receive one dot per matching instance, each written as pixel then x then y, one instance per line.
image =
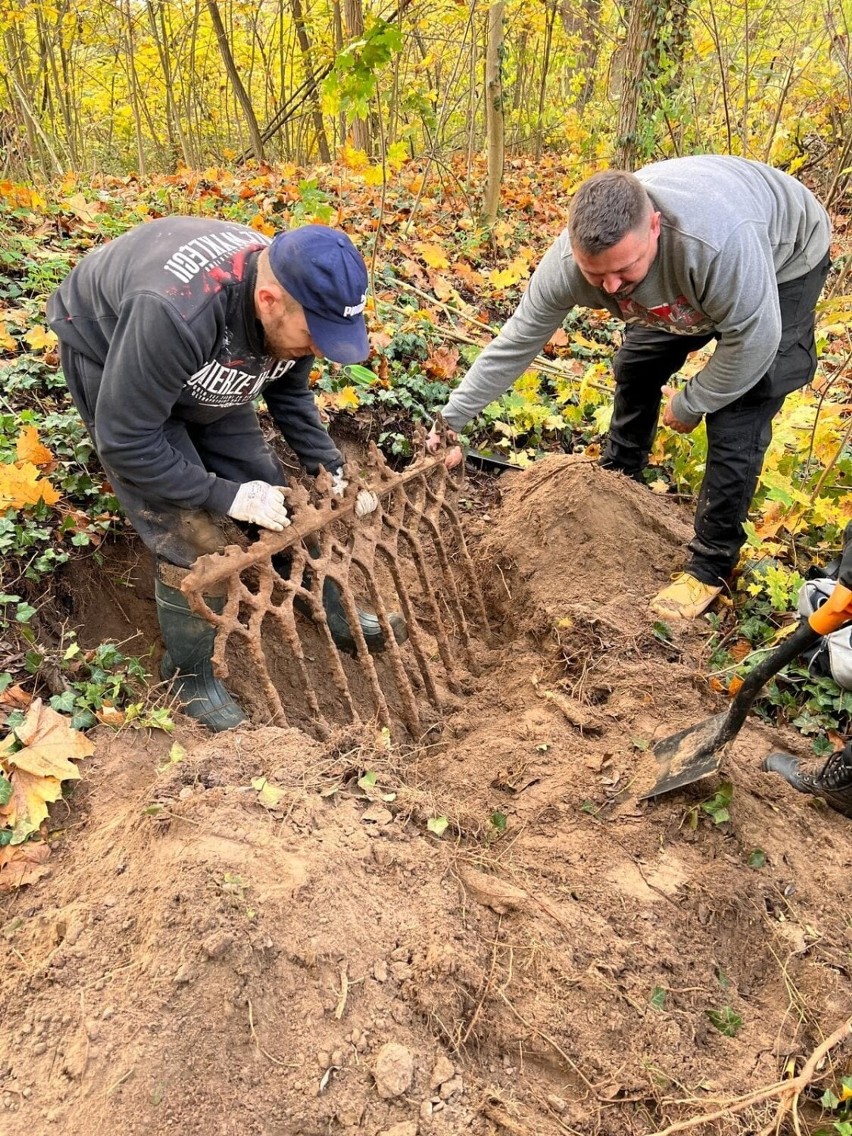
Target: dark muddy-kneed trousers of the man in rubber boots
pixel 233 448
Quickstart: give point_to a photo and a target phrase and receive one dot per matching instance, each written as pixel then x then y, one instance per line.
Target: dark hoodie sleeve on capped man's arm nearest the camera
pixel 152 356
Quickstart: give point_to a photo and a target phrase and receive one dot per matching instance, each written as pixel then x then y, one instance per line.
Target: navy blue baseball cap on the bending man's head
pixel 327 274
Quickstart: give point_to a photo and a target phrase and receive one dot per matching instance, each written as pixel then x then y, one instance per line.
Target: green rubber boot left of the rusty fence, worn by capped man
pixel 189 661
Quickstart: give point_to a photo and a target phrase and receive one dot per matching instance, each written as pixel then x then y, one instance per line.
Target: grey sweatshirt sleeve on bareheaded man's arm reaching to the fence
pixel 542 308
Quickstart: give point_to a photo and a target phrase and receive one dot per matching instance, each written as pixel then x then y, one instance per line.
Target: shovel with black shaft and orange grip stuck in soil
pixel 694 754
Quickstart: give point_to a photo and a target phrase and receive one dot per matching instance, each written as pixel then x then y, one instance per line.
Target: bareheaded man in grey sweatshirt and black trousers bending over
pixel 684 252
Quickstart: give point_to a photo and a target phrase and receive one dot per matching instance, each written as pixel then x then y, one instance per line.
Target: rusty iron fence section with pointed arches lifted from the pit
pixel 410 556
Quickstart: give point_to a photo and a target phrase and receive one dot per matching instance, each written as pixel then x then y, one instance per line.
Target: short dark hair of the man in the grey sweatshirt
pixel 606 208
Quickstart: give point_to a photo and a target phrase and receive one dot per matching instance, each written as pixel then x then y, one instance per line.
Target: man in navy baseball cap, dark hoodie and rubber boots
pixel 168 337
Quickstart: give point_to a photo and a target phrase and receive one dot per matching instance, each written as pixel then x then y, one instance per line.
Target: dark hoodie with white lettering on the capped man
pixel 166 313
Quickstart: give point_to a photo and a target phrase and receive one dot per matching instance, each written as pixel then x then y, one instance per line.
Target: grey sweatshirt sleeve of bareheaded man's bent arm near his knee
pixel 740 296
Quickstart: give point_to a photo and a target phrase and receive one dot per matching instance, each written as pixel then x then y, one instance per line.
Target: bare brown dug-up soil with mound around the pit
pixel 198 963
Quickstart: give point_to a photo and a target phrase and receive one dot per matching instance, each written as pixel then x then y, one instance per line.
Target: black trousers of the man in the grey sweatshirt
pixel 738 436
